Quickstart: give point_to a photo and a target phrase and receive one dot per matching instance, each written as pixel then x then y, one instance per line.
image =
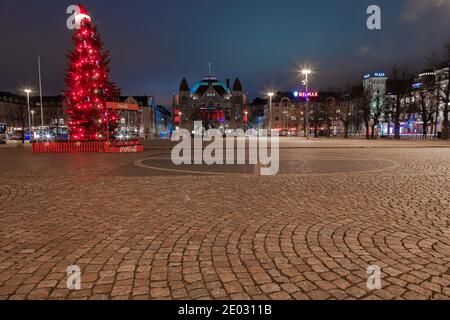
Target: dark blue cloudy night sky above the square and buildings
pixel 155 43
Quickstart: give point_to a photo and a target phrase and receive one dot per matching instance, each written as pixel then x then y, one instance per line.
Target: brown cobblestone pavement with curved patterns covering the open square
pixel 309 233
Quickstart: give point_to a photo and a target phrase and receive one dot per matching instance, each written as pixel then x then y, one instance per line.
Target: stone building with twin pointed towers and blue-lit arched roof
pixel 217 104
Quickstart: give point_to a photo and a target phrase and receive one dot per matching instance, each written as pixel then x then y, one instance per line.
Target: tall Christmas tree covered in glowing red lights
pixel 88 86
